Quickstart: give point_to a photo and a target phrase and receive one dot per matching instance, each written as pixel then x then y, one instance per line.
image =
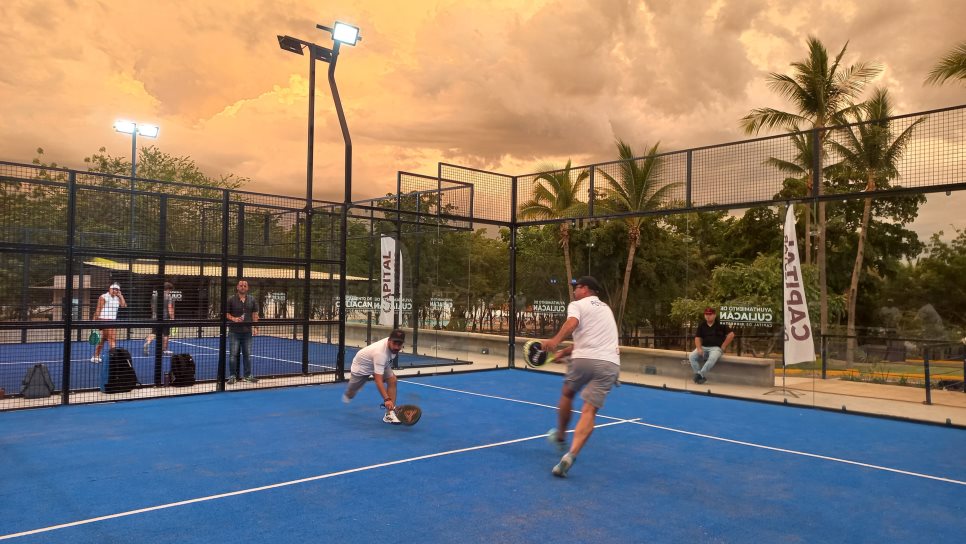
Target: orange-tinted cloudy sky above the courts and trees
pixel 497 84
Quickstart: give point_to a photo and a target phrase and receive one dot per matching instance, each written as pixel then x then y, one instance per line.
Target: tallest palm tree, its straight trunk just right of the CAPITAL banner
pixel 823 93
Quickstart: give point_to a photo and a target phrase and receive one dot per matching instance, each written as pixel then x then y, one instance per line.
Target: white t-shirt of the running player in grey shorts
pixel 596 334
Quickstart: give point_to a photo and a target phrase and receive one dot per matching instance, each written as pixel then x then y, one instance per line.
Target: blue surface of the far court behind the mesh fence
pixel 271 356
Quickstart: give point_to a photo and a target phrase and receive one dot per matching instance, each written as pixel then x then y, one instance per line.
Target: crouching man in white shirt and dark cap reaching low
pixel 375 360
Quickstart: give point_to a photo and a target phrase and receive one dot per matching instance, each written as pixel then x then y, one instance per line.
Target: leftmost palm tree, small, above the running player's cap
pixel 555 196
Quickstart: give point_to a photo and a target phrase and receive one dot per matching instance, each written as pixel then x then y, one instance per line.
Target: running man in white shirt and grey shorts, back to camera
pixel 594 367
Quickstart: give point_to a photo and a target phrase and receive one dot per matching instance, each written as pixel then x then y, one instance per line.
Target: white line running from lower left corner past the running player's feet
pixel 285 484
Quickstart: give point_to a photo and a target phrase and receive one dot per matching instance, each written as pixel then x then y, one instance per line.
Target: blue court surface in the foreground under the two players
pixel 298 465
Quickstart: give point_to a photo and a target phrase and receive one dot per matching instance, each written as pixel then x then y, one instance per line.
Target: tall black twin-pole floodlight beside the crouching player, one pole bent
pixel 342 33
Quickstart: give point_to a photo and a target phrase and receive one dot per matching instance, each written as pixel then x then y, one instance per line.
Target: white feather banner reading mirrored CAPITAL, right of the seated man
pixel 799 343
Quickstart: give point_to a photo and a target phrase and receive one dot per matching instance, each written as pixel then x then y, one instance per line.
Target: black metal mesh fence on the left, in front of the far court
pixel 177 253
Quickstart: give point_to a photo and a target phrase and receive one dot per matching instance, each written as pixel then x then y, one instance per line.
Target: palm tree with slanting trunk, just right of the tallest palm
pixel 870 155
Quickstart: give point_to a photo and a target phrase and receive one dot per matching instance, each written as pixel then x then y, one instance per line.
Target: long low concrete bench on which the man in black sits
pixel 674 364
